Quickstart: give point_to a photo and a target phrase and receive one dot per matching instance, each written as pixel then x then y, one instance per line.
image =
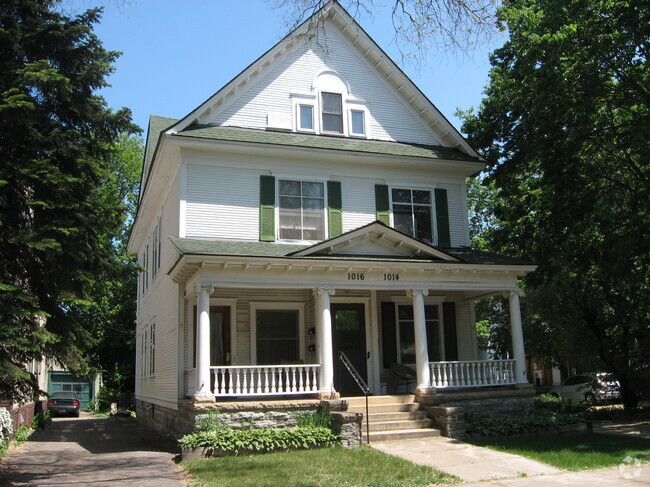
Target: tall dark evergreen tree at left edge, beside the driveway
pixel 56 142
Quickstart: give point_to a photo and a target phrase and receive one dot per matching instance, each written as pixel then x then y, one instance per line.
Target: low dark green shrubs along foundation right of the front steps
pixel 520 423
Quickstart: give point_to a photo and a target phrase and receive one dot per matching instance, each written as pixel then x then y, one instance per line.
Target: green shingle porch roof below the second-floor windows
pixel 268 249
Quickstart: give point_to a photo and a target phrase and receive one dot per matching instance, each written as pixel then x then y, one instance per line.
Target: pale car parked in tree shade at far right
pixel 591 388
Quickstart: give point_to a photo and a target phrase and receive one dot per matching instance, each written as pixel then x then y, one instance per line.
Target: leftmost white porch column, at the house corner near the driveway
pixel 203 342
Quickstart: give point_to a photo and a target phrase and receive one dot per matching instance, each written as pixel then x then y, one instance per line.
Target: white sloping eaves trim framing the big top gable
pixel 375 55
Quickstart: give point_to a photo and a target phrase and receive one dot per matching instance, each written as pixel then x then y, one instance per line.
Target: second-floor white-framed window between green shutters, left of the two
pixel 302 210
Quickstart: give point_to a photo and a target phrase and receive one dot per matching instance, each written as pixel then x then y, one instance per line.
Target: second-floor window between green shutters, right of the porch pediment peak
pixel 413 212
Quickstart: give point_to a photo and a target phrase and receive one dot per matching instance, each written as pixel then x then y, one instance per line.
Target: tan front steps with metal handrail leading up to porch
pixel 392 417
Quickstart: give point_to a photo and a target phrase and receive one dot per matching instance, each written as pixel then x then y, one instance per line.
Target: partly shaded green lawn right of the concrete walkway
pixel 580 451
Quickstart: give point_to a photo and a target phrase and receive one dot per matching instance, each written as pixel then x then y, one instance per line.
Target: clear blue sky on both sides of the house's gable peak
pixel 176 54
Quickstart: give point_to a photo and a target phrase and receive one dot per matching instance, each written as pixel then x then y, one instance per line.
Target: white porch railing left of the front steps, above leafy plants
pixel 265 380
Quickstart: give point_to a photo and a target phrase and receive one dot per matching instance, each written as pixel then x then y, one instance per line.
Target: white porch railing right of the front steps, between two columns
pixel 478 373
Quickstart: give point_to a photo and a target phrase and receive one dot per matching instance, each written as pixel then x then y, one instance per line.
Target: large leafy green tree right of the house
pixel 564 126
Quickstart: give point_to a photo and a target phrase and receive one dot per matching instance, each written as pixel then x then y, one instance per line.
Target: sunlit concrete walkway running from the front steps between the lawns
pixel 470 463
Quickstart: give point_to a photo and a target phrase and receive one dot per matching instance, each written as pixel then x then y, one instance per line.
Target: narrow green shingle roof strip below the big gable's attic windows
pixel 230 134
